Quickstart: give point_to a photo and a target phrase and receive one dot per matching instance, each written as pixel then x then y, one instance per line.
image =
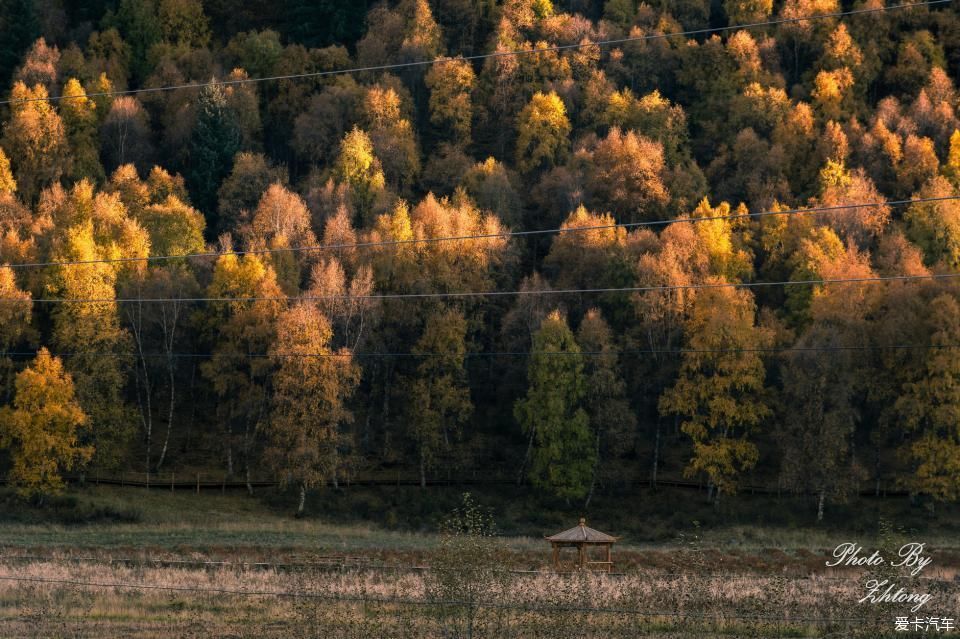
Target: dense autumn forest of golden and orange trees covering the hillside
pixel 575 245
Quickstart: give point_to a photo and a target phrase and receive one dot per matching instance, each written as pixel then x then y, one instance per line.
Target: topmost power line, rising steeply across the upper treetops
pixel 485 56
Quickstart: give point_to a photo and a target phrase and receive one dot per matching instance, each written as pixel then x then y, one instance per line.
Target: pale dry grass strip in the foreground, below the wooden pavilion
pixel 362 603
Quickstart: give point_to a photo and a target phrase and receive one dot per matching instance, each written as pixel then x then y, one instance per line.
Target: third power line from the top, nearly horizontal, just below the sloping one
pixel 469 294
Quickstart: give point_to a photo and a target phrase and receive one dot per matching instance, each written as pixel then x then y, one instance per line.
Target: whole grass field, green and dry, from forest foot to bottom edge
pixel 137 570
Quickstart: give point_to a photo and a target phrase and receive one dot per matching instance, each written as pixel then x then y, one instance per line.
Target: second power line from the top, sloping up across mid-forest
pixel 488 236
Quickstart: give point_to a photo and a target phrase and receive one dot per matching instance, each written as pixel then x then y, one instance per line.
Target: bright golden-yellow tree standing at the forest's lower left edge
pixel 40 430
